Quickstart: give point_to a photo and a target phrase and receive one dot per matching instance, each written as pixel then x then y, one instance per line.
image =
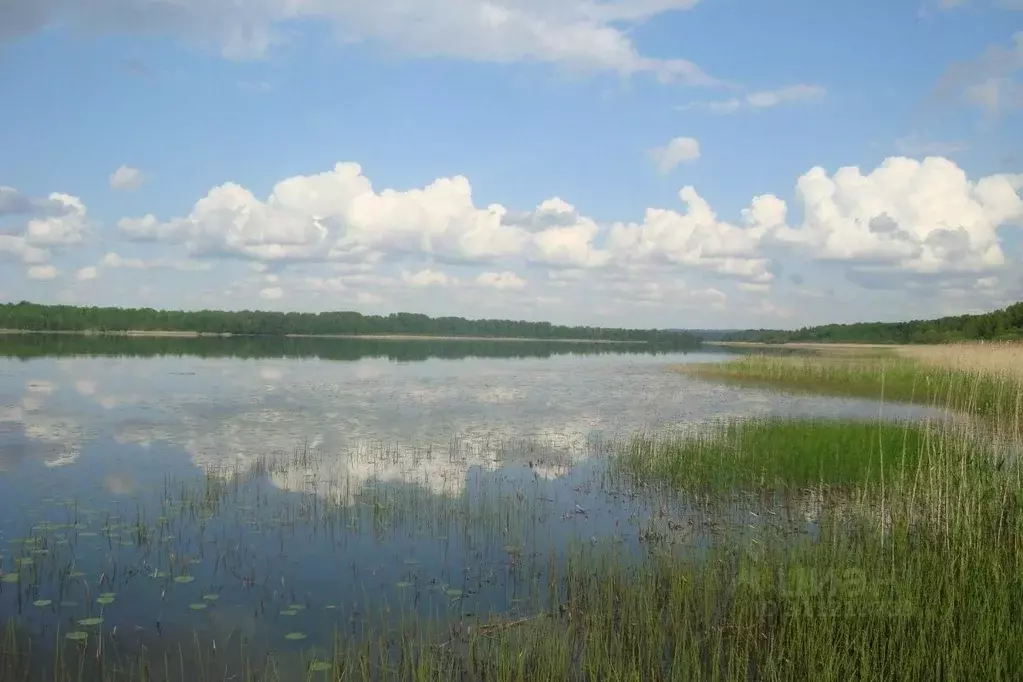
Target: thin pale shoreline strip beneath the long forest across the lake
pixel 229 335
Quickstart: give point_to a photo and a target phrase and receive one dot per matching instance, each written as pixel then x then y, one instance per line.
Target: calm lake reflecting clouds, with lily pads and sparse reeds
pixel 265 494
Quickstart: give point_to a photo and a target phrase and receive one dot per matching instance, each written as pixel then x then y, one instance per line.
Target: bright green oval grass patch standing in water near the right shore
pixel 763 454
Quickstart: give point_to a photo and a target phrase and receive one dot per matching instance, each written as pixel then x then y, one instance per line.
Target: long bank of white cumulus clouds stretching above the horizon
pixel 333 235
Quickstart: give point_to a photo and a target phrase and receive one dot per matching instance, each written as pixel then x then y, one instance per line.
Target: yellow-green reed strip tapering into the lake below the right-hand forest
pixel 880 377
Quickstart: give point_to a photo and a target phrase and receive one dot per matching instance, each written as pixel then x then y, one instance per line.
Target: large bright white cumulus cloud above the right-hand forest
pixel 921 217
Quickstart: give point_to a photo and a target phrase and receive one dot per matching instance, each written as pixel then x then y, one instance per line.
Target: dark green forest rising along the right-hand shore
pixel 1001 325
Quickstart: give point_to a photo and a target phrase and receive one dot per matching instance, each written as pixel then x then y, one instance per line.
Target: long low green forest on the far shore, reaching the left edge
pixel 35 317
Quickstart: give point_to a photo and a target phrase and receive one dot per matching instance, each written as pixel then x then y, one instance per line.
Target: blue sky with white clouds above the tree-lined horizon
pixel 701 164
